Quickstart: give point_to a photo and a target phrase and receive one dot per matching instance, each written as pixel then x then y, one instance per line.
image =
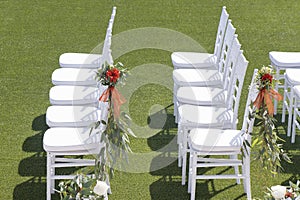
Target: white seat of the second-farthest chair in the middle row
pixel 197 77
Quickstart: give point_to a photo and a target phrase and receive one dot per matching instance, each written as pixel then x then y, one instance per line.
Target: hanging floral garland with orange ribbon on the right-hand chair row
pixel 270 151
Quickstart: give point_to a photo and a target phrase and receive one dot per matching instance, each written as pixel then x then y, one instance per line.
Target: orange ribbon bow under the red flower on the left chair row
pixel 116 98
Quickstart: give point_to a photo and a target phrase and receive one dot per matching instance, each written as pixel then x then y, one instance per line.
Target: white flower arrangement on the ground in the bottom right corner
pixel 279 192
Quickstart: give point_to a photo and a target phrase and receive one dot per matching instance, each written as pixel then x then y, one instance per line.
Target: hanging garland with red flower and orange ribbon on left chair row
pixel 115 135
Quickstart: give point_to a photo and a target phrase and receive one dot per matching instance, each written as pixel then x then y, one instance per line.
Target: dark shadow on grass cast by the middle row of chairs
pixel 165 165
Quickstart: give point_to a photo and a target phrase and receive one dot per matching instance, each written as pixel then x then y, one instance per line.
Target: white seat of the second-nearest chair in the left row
pixel 71 116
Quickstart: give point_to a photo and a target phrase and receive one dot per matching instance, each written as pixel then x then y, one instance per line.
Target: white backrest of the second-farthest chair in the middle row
pixel 226 48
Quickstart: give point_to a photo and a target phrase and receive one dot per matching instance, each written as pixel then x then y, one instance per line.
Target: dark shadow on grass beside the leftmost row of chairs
pixel 34 167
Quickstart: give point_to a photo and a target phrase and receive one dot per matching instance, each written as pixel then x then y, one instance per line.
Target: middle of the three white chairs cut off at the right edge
pixel 291 79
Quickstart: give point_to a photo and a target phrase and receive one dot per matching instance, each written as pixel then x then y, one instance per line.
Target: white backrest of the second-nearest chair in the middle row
pixel 235 91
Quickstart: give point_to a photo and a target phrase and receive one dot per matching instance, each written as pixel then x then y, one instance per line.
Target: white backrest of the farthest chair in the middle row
pixel 220 33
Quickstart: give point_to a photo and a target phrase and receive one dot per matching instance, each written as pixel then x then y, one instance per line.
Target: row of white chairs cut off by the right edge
pixel 289 63
